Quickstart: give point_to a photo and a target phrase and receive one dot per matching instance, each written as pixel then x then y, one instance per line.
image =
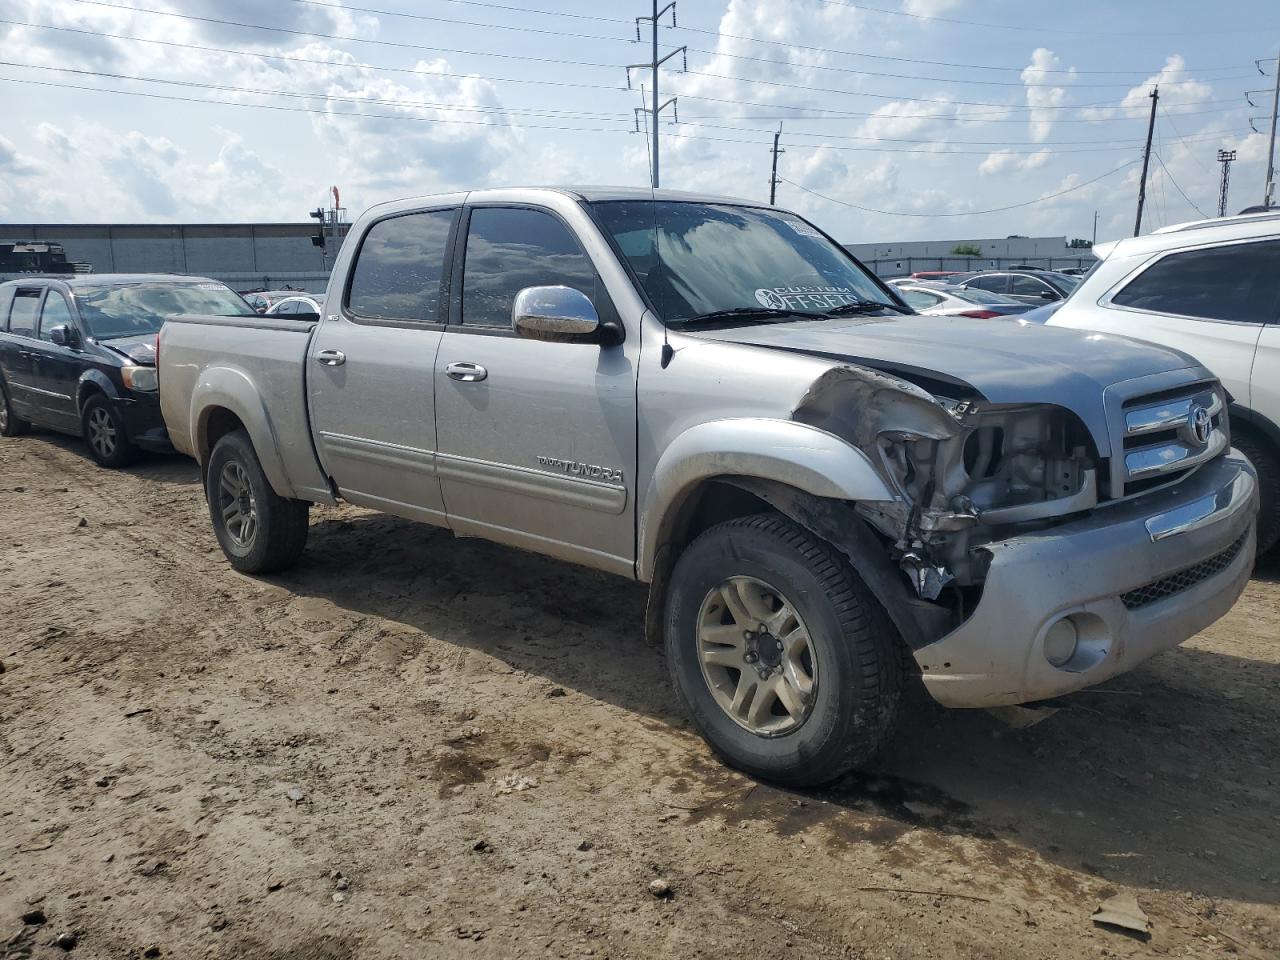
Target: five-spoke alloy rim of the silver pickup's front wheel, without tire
pixel 757 656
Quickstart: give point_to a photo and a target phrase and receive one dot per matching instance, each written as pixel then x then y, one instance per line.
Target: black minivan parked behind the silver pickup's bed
pixel 77 355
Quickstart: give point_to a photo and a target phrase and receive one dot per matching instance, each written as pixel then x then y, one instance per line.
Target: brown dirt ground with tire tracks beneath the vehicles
pixel 418 747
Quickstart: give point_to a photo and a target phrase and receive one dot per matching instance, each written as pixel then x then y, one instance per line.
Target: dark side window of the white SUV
pixel 1240 282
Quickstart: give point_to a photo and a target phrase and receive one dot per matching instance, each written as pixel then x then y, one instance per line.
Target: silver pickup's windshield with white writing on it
pixel 701 259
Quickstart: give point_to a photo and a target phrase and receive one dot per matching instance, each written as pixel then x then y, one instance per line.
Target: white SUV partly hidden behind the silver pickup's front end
pixel 1210 289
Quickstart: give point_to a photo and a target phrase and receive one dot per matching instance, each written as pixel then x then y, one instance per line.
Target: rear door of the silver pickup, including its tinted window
pixel 371 374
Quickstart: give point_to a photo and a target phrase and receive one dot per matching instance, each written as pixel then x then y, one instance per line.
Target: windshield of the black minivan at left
pixel 139 309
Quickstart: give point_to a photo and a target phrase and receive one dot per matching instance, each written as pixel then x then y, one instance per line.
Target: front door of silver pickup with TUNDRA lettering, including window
pixel 537 449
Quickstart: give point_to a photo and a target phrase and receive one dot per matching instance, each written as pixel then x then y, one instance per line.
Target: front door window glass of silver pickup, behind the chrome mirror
pixel 511 249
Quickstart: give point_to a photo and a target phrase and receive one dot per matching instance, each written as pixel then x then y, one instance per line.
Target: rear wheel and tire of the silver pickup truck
pixel 259 531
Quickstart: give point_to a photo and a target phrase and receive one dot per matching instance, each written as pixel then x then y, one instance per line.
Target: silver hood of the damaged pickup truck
pixel 1003 360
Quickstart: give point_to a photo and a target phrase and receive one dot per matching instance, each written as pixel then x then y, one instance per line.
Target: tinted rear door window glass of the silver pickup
pixel 400 268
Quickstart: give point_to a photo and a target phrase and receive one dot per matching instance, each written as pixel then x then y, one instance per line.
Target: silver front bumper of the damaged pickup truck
pixel 1136 578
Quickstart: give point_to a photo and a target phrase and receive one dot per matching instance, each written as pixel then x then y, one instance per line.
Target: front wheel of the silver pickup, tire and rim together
pixel 849 676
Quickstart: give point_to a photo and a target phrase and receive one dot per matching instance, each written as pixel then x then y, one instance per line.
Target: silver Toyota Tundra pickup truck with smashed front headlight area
pixel 828 495
